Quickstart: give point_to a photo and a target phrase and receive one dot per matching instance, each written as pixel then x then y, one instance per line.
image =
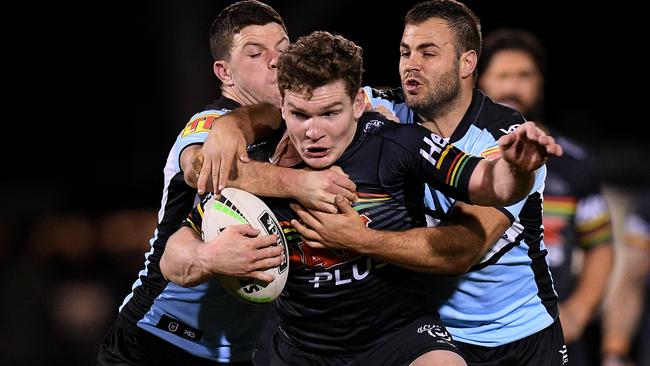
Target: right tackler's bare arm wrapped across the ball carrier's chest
pixel 450 249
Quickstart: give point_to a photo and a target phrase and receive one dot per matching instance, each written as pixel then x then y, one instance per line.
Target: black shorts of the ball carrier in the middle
pixel 398 348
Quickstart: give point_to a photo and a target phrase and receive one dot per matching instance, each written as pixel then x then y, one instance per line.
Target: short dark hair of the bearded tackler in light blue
pixel 462 21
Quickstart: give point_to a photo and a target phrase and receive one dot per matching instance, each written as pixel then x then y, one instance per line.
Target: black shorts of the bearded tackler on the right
pixel 544 348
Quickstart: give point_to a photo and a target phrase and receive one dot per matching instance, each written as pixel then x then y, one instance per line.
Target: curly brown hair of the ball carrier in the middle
pixel 318 59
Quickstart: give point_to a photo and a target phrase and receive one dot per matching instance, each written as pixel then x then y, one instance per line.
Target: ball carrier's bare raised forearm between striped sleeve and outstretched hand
pixel 498 183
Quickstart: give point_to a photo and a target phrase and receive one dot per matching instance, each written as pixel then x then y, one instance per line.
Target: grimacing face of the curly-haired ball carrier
pixel 322 127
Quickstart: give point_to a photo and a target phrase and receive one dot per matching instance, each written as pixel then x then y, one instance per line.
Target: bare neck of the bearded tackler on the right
pixel 444 121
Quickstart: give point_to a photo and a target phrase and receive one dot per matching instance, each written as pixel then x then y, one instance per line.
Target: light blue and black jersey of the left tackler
pixel 203 320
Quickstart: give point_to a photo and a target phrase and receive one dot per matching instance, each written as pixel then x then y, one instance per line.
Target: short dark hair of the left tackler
pixel 232 19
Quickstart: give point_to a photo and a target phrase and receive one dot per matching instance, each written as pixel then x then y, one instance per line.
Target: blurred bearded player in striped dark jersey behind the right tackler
pixel 576 216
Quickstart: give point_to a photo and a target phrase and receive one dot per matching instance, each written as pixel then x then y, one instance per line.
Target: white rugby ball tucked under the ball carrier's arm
pixel 237 207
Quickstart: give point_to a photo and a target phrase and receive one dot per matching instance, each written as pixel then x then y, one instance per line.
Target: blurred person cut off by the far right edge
pixel 626 328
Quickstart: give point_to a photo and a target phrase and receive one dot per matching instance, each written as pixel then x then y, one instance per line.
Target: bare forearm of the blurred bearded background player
pixel 593 281
